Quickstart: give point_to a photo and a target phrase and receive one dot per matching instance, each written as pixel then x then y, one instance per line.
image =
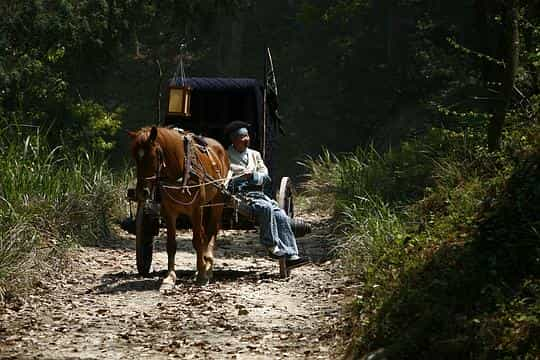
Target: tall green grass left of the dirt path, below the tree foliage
pixel 51 199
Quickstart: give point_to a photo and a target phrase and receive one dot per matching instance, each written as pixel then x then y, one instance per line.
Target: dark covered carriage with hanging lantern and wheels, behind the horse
pixel 205 106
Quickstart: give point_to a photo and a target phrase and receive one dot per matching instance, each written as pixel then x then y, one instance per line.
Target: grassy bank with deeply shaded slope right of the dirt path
pixel 443 237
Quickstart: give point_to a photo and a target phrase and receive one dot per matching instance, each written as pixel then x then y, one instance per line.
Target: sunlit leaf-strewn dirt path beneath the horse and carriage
pixel 101 308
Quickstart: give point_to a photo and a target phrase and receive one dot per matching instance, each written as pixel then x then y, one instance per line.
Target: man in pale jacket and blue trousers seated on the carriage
pixel 248 169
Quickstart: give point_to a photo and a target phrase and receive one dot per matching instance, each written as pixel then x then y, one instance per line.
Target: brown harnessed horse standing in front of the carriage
pixel 185 170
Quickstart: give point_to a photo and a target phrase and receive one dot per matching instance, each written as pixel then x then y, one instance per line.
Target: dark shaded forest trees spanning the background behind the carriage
pixel 349 72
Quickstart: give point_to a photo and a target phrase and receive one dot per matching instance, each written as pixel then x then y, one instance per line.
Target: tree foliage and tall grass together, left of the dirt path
pixel 56 189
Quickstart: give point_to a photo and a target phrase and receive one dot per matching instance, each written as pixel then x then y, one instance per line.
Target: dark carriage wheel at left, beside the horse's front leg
pixel 145 230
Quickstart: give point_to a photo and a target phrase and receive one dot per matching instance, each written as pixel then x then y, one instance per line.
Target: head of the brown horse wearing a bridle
pixel 148 156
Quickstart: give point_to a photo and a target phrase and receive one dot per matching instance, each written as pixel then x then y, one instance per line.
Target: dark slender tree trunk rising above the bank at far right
pixel 510 38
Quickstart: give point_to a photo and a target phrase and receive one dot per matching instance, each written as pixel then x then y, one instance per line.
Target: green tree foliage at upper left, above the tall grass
pixel 41 57
